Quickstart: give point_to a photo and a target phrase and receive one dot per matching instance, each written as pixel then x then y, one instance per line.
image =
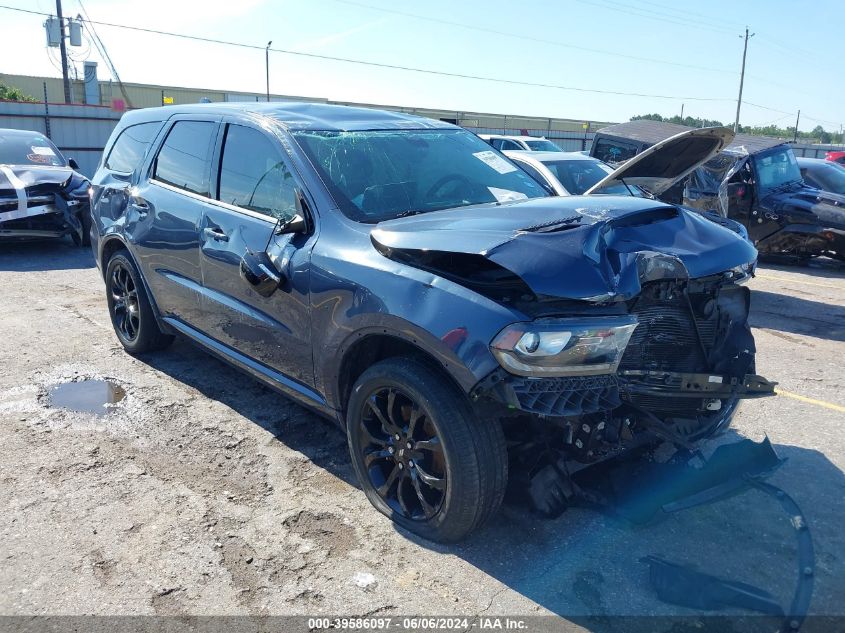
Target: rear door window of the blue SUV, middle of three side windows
pixel 185 156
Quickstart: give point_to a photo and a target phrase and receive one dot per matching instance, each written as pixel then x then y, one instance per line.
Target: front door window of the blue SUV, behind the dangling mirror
pixel 253 175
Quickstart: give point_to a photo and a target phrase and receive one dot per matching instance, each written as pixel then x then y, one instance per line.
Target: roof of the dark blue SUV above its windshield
pixel 300 115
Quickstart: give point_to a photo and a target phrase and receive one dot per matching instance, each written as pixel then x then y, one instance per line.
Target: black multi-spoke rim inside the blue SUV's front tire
pixel 402 454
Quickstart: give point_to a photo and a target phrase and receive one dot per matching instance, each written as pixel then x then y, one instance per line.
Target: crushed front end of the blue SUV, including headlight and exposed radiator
pixel 672 364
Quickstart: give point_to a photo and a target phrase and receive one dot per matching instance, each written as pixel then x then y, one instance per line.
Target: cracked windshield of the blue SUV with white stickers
pixel 380 175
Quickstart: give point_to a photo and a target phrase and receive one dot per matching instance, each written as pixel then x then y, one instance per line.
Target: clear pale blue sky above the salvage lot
pixel 678 49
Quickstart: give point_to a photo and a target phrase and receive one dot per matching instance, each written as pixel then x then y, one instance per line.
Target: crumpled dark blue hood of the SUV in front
pixel 567 248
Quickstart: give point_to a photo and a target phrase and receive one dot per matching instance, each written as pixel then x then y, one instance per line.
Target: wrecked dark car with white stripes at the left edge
pixel 42 195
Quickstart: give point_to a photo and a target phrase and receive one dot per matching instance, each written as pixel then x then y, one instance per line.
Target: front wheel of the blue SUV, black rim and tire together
pixel 420 453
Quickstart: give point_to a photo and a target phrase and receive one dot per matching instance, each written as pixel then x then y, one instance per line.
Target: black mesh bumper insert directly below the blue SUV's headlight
pixel 574 395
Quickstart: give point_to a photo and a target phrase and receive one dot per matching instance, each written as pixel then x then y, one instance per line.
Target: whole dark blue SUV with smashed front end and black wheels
pixel 401 277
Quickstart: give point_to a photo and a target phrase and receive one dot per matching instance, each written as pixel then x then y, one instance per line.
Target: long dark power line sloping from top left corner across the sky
pixel 426 71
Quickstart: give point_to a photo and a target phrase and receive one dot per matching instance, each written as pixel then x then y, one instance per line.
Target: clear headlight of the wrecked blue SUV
pixel 564 347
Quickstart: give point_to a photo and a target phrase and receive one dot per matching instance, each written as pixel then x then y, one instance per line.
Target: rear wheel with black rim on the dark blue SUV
pixel 129 308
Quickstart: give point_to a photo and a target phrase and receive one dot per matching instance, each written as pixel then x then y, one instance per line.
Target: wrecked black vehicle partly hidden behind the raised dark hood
pixel 757 182
